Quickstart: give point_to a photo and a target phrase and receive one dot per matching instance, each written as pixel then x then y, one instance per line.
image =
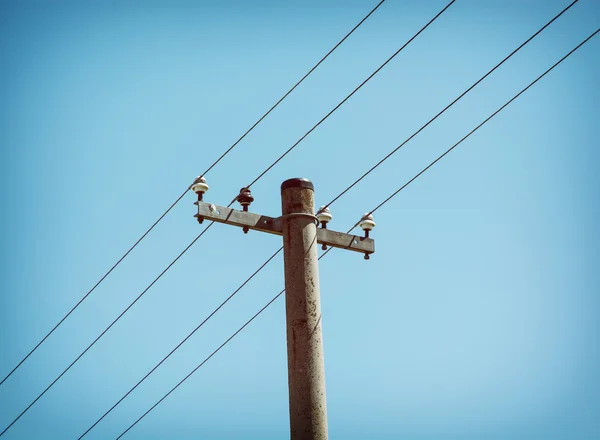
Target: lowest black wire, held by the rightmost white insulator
pixel 376 208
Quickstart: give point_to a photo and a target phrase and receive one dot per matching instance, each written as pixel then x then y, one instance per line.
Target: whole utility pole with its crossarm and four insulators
pixel 298 226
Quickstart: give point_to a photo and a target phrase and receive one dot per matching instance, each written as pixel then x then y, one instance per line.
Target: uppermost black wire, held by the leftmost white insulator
pixel 183 194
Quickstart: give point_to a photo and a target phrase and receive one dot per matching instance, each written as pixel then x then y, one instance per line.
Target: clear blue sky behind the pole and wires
pixel 476 318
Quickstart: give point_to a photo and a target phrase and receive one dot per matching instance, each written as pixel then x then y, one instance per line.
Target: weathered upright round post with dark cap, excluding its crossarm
pixel 306 368
